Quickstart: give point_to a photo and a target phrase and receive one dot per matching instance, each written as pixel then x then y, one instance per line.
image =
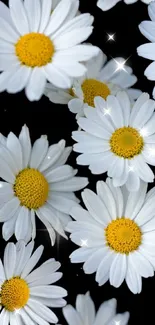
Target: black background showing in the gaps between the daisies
pixel 57 122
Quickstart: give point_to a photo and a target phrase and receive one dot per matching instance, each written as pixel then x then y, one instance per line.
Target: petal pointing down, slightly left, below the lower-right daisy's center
pixel 118 270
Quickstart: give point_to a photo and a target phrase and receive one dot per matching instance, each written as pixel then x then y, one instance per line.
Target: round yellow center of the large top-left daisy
pixel 34 50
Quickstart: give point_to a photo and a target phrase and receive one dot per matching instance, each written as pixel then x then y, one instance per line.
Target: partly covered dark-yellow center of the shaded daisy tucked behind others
pixel 92 88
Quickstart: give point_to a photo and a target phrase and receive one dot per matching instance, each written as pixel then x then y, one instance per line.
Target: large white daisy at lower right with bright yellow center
pixel 116 234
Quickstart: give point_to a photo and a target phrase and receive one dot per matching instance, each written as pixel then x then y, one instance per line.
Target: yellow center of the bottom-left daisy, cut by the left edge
pixel 14 294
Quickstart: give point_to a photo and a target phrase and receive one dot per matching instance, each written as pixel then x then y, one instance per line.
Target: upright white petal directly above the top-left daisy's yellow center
pixel 33 11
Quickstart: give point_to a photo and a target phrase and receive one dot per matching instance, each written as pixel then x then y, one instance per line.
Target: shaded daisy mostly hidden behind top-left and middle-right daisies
pixel 101 79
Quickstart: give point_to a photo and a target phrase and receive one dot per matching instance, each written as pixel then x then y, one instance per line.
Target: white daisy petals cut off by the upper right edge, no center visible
pixel 147 28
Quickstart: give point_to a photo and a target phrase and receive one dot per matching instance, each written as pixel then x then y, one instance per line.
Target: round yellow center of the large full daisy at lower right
pixel 123 235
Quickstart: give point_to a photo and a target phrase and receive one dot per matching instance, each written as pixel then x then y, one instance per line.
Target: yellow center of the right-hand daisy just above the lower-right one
pixel 126 142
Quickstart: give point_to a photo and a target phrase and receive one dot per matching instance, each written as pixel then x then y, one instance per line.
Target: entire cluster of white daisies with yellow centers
pixel 42 51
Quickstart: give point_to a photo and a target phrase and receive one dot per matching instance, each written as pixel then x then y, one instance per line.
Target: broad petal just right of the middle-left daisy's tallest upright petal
pixel 39 151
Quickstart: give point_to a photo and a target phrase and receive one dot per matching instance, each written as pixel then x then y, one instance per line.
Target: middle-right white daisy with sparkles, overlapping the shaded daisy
pixel 119 139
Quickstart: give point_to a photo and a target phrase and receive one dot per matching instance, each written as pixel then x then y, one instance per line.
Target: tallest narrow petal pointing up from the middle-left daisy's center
pixel 25 142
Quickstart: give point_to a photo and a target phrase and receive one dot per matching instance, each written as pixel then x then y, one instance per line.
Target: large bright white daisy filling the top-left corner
pixel 36 45
